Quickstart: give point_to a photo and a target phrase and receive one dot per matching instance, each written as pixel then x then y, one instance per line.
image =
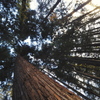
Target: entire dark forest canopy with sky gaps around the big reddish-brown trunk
pixel 60 36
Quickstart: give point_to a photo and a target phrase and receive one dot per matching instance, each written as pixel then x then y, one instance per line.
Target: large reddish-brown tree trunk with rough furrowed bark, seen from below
pixel 32 84
